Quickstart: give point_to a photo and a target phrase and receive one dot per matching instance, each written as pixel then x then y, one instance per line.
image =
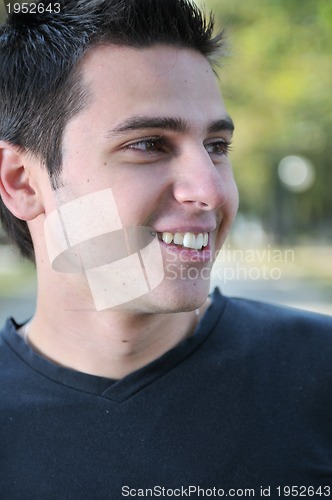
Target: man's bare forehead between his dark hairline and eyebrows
pixel 126 81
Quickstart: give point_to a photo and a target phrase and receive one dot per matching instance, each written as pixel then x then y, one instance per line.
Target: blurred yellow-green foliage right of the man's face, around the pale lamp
pixel 277 87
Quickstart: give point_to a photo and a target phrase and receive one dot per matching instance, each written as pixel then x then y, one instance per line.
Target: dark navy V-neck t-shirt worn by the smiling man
pixel 243 404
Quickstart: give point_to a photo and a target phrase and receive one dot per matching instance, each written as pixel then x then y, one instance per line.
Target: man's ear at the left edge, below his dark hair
pixel 17 184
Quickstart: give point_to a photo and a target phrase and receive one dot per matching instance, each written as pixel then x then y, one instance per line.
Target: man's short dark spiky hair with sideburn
pixel 41 87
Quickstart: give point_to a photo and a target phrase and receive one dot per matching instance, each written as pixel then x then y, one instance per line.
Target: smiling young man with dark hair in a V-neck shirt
pixel 115 178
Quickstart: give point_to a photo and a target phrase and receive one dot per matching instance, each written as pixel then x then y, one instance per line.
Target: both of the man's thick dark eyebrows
pixel 167 123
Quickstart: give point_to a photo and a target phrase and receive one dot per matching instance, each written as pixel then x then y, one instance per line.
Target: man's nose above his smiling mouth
pixel 200 184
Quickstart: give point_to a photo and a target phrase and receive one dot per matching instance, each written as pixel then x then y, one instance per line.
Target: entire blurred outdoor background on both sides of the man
pixel 276 82
